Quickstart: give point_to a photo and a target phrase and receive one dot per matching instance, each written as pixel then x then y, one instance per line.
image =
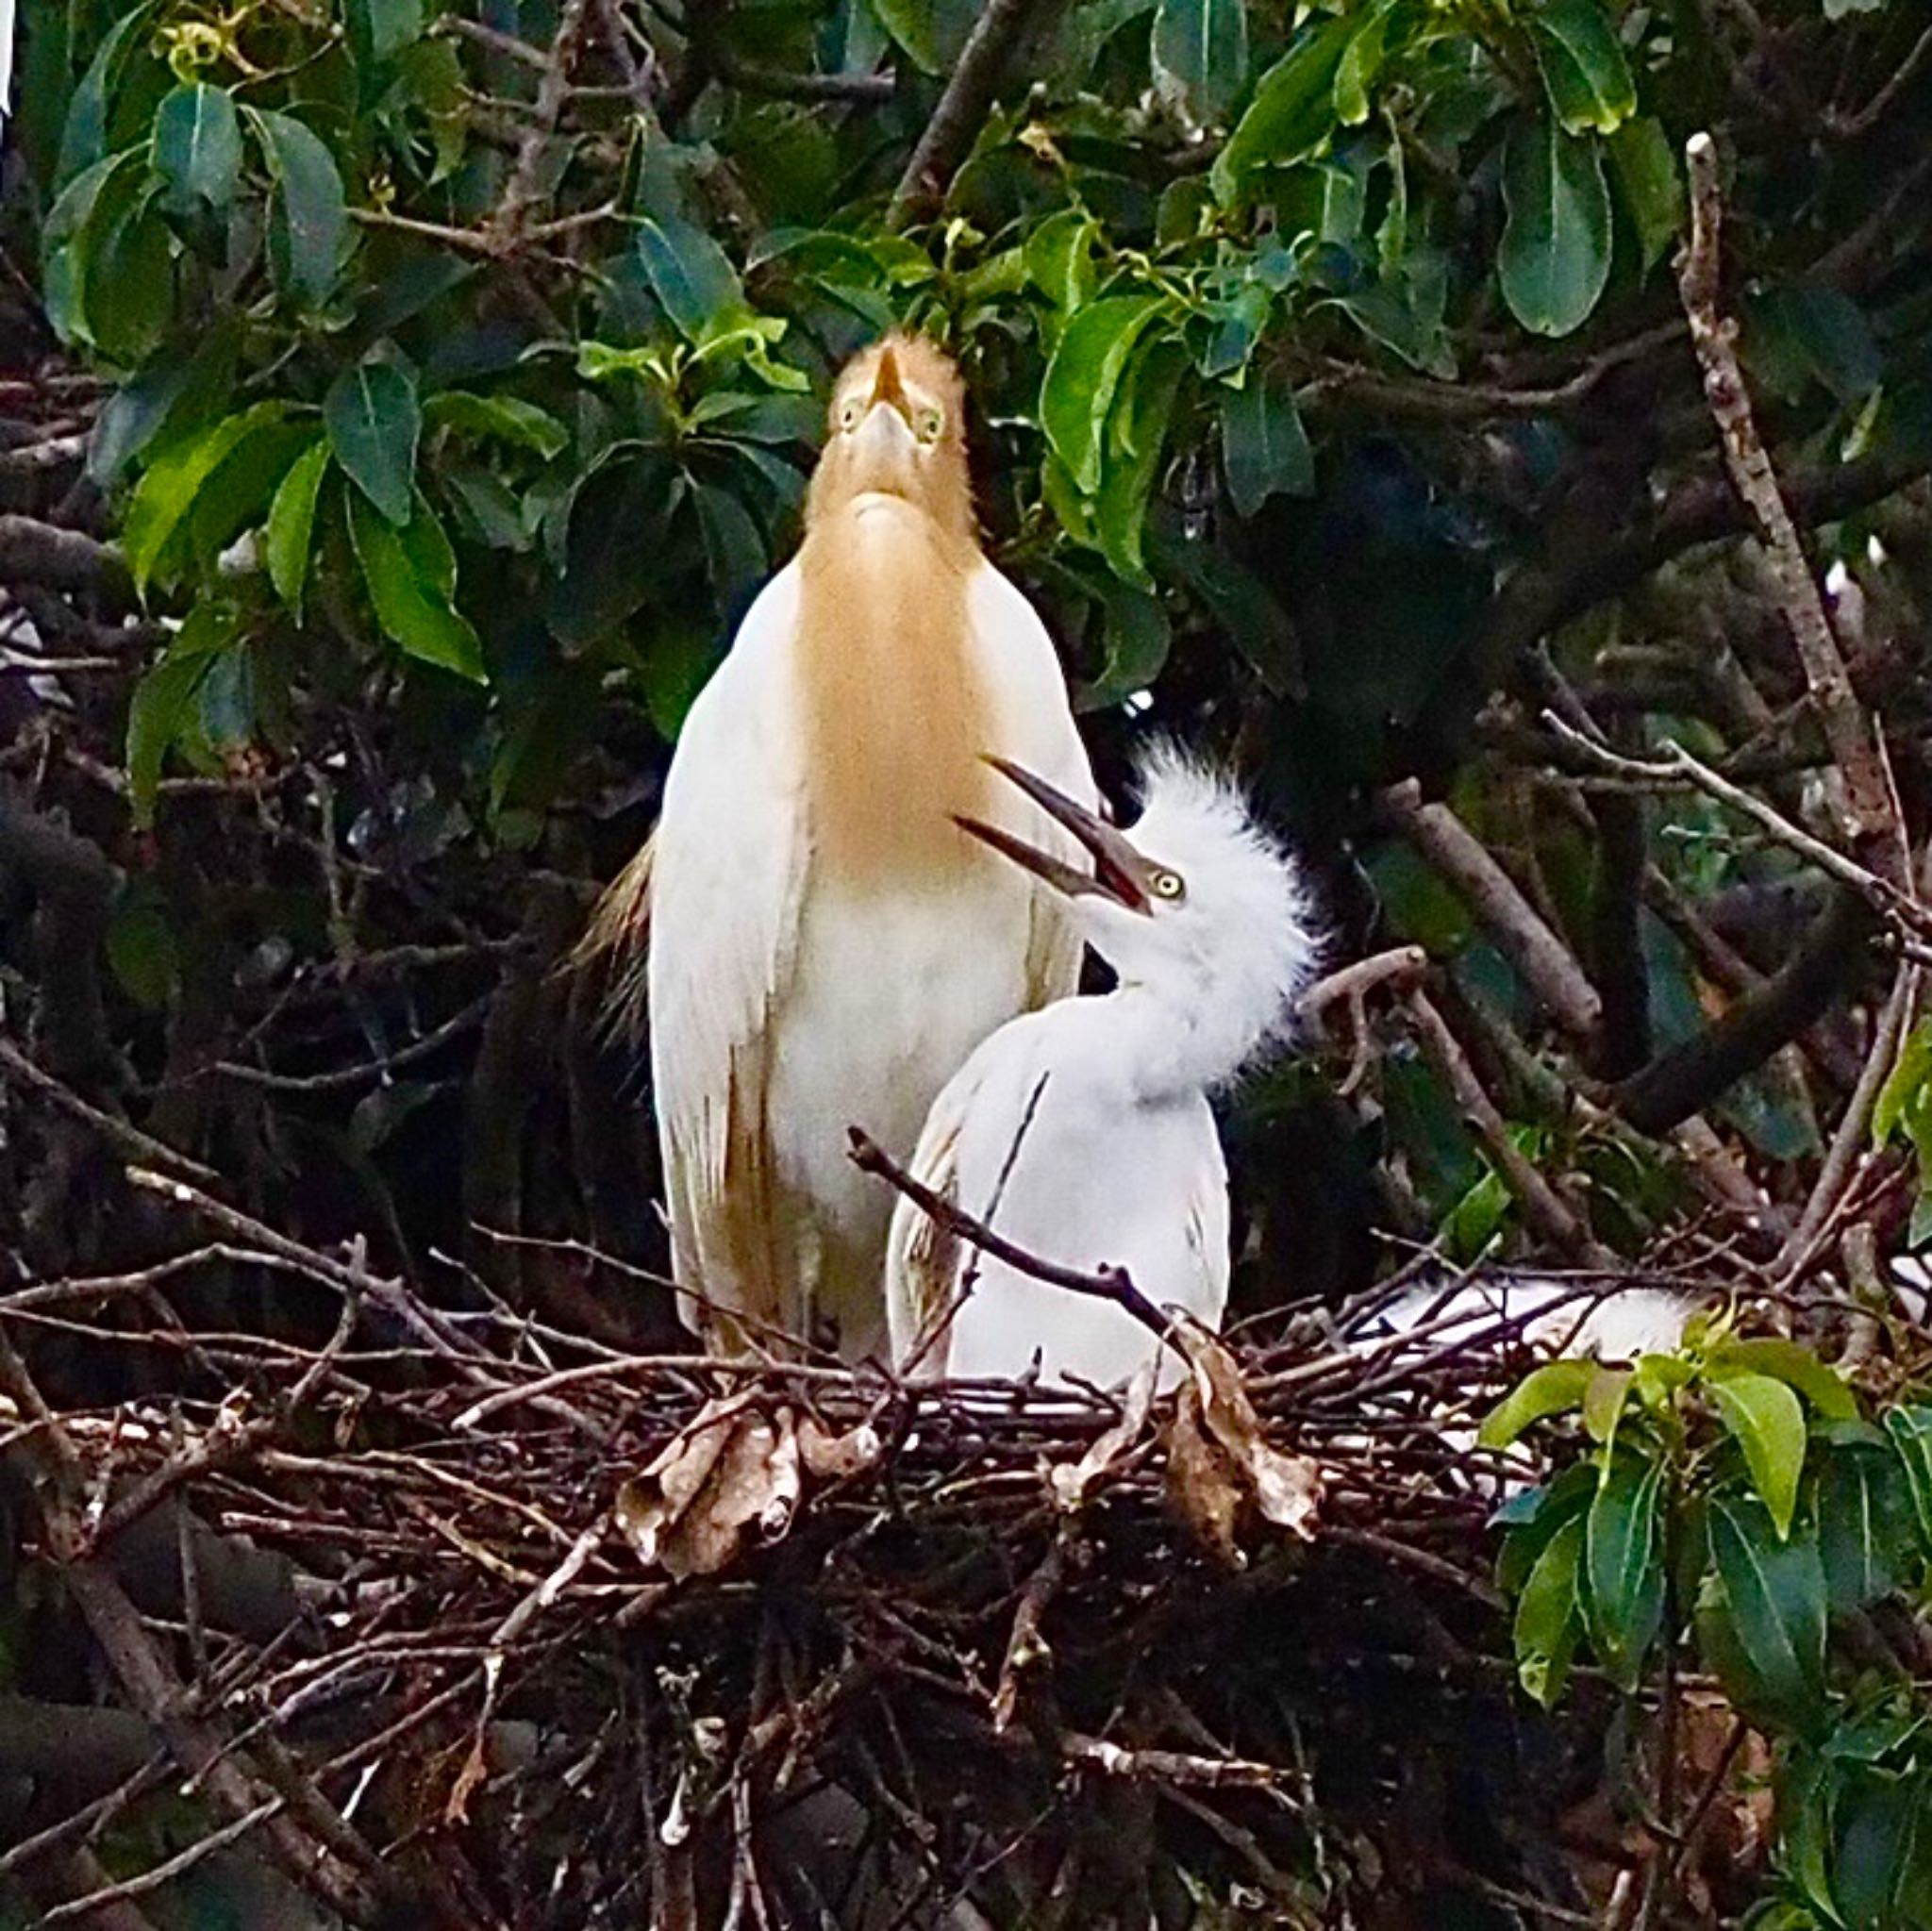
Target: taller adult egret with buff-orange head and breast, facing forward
pixel 826 943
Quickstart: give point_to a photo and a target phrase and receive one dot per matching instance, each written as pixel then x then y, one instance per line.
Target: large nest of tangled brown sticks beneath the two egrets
pixel 438 1615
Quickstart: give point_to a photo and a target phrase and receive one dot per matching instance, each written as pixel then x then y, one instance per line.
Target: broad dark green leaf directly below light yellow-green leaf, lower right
pixel 1775 1602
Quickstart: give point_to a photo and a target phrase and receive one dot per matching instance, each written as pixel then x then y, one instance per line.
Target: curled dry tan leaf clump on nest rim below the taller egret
pixel 731 1472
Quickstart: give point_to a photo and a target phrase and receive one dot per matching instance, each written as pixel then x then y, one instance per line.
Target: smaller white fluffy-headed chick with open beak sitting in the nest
pixel 1083 1134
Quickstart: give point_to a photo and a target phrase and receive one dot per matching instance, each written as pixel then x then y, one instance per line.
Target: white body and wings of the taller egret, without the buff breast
pixel 793 997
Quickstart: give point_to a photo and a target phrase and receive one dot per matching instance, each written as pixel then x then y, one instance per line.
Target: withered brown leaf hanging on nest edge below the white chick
pixel 1220 1465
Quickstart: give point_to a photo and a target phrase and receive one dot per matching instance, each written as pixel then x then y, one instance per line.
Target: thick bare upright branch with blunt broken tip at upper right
pixel 1865 808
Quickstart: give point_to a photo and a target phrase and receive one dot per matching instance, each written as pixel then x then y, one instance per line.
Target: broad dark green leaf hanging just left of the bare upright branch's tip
pixel 1554 258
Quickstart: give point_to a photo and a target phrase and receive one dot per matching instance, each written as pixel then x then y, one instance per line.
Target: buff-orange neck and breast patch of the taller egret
pixel 894 712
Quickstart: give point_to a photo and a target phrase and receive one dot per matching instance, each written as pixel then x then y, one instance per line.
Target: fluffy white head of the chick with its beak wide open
pixel 1195 907
